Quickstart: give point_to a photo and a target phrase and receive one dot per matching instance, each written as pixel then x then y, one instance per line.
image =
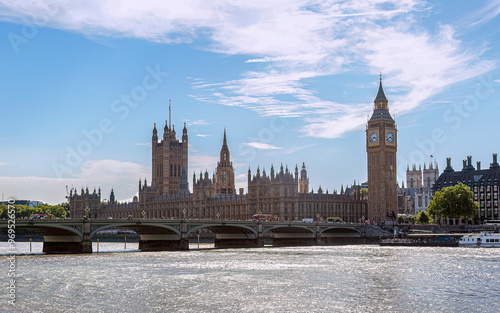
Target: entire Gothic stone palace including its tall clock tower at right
pixel 283 193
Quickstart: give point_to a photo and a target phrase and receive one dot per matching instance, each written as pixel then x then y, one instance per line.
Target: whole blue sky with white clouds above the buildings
pixel 81 85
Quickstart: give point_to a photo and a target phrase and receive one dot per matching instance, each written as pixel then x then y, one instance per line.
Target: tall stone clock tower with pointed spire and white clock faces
pixel 381 147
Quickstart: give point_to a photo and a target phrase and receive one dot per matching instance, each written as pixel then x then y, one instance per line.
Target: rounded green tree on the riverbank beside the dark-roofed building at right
pixel 453 201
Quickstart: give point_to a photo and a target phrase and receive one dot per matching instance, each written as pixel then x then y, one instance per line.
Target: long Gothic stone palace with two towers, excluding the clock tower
pixel 216 197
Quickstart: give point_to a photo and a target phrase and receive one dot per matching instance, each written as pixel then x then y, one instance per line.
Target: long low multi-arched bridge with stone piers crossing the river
pixel 75 235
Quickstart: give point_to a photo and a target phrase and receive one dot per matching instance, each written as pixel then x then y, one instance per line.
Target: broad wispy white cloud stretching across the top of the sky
pixel 291 42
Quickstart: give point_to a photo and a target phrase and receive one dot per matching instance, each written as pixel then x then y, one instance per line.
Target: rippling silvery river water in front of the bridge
pixel 354 278
